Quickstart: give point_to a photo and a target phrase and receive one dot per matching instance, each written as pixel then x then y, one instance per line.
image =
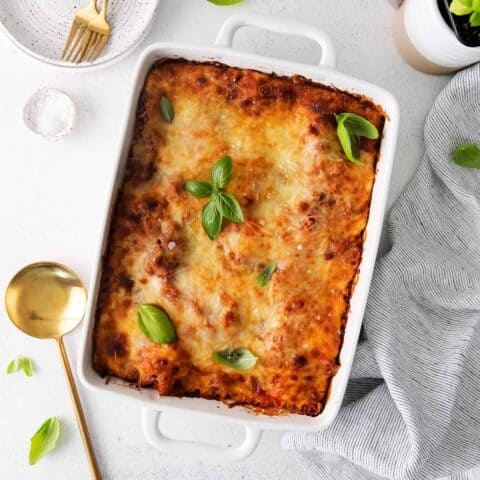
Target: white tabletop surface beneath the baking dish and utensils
pixel 49 209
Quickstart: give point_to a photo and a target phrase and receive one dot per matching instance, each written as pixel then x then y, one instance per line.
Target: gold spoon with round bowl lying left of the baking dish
pixel 47 300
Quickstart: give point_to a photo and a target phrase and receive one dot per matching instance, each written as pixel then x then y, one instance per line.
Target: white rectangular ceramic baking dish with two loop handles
pixel 325 74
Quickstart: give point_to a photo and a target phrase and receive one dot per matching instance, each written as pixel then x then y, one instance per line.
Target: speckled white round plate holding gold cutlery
pixel 40 27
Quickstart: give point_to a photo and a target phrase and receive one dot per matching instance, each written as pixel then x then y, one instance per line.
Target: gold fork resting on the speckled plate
pixel 88 35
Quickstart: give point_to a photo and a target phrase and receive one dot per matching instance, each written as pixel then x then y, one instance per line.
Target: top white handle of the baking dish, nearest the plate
pixel 278 25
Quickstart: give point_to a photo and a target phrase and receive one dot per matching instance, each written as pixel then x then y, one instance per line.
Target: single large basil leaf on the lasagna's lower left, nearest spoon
pixel 155 324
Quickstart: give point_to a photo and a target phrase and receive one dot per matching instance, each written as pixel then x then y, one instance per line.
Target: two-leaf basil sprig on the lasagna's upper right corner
pixel 349 127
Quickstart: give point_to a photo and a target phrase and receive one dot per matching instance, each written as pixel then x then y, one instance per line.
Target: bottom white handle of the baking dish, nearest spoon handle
pixel 202 451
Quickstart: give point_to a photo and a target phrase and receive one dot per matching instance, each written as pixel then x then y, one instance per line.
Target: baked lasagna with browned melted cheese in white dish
pixel 305 207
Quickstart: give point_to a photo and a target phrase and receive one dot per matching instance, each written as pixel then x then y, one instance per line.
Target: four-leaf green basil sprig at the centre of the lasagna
pixel 222 204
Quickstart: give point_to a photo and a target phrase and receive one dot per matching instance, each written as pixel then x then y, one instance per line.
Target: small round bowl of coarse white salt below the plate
pixel 49 113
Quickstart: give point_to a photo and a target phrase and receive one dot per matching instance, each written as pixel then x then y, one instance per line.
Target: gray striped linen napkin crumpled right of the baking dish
pixel 412 409
